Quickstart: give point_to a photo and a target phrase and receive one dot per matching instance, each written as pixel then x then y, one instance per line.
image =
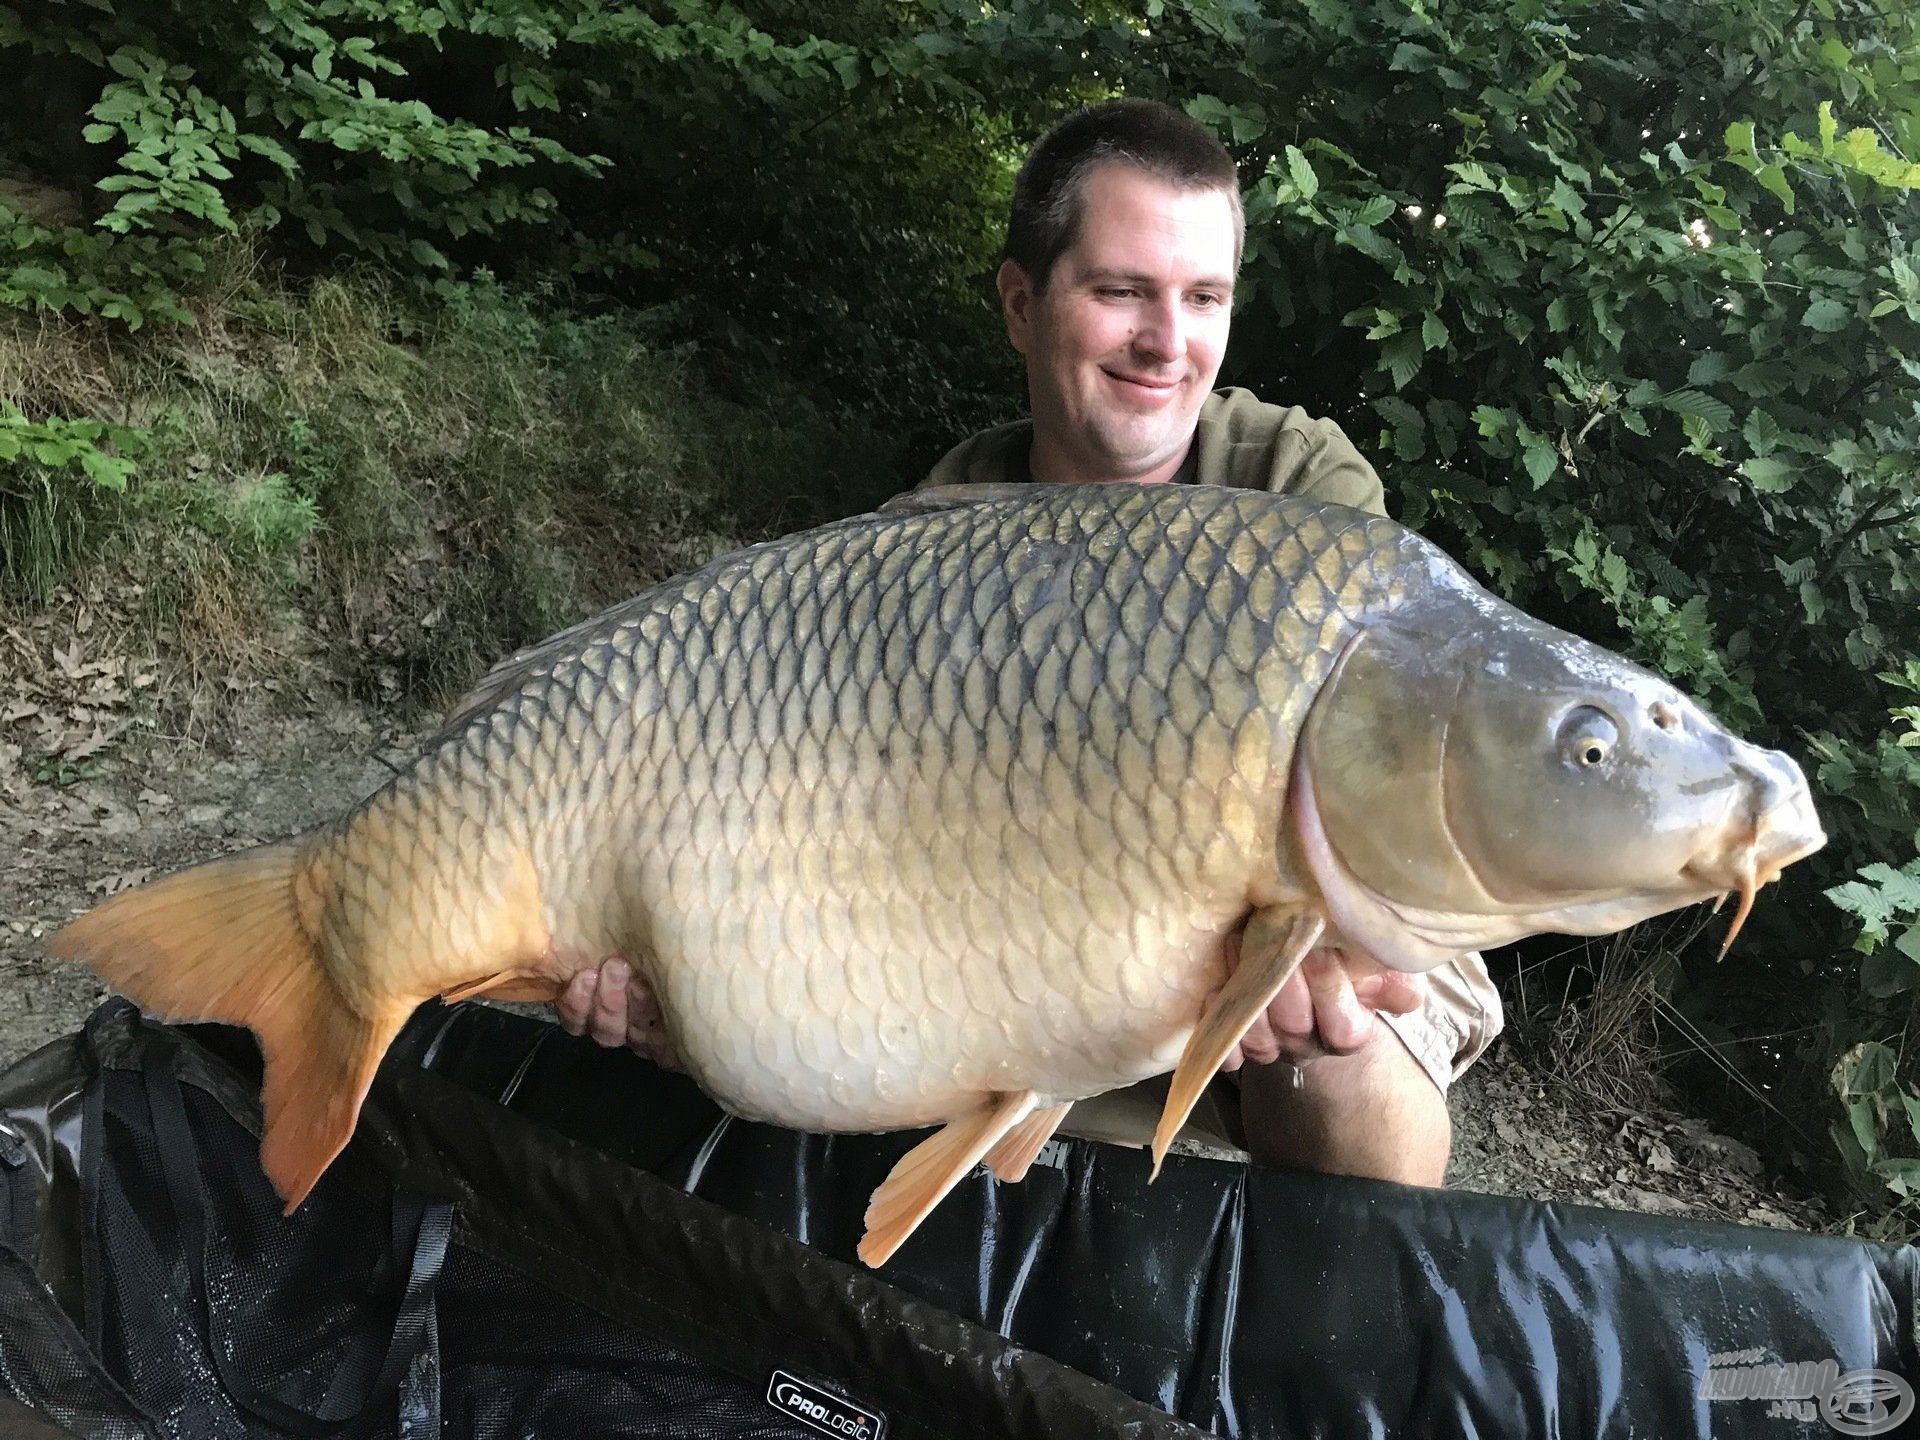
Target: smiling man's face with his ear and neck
pixel 1126 343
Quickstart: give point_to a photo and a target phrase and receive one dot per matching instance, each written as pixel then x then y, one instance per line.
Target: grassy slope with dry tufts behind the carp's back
pixel 408 487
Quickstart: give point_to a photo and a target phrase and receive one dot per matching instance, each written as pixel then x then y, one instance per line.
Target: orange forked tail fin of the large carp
pixel 231 940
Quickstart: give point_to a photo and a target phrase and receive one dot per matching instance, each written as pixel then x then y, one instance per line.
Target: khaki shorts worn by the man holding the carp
pixel 1451 1032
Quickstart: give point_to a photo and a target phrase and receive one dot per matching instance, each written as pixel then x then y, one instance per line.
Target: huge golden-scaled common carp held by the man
pixel 949 815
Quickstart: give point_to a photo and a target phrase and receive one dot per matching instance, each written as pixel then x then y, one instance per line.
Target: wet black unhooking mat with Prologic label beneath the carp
pixel 535 1237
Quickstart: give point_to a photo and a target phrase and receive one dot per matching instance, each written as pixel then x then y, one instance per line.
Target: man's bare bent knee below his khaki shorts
pixel 1376 1113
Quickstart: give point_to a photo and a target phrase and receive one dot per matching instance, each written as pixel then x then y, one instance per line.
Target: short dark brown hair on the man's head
pixel 1051 189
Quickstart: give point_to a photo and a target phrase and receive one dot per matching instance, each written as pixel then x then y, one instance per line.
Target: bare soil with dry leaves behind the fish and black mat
pixel 97 794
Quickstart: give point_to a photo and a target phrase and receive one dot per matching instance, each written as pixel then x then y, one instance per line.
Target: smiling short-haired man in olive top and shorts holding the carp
pixel 1122 252
